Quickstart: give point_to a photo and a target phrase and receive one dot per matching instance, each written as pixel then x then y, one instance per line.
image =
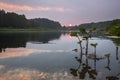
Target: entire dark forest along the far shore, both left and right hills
pixel 13 20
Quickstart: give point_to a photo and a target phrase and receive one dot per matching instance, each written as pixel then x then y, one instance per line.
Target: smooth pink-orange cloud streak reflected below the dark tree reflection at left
pixel 18 52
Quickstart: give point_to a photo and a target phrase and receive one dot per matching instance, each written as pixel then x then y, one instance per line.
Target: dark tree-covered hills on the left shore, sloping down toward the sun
pixel 13 20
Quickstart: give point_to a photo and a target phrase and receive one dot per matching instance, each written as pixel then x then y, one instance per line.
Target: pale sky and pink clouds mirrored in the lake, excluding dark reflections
pixel 52 61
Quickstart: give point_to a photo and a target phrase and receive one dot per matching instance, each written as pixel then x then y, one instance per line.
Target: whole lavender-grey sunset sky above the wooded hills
pixel 67 12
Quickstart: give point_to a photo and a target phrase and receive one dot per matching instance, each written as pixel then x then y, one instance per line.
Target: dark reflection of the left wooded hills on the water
pixel 14 40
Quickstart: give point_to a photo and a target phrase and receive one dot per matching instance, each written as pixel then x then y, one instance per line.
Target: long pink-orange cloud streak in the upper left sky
pixel 11 7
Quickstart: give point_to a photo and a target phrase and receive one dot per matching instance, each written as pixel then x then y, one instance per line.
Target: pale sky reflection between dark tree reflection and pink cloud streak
pixel 64 43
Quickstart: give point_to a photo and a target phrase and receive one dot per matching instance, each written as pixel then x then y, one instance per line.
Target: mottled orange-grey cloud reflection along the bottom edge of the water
pixel 28 74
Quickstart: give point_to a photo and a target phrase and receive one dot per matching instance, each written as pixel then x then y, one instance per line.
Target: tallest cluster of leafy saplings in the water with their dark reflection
pixel 85 68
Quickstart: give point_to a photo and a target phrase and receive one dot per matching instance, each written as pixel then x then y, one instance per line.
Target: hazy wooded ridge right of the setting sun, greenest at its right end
pixel 110 27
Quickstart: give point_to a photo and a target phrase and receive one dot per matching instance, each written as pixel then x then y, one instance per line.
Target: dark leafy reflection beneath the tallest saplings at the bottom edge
pixel 83 69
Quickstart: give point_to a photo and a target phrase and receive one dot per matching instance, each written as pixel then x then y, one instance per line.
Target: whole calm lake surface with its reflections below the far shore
pixel 49 56
